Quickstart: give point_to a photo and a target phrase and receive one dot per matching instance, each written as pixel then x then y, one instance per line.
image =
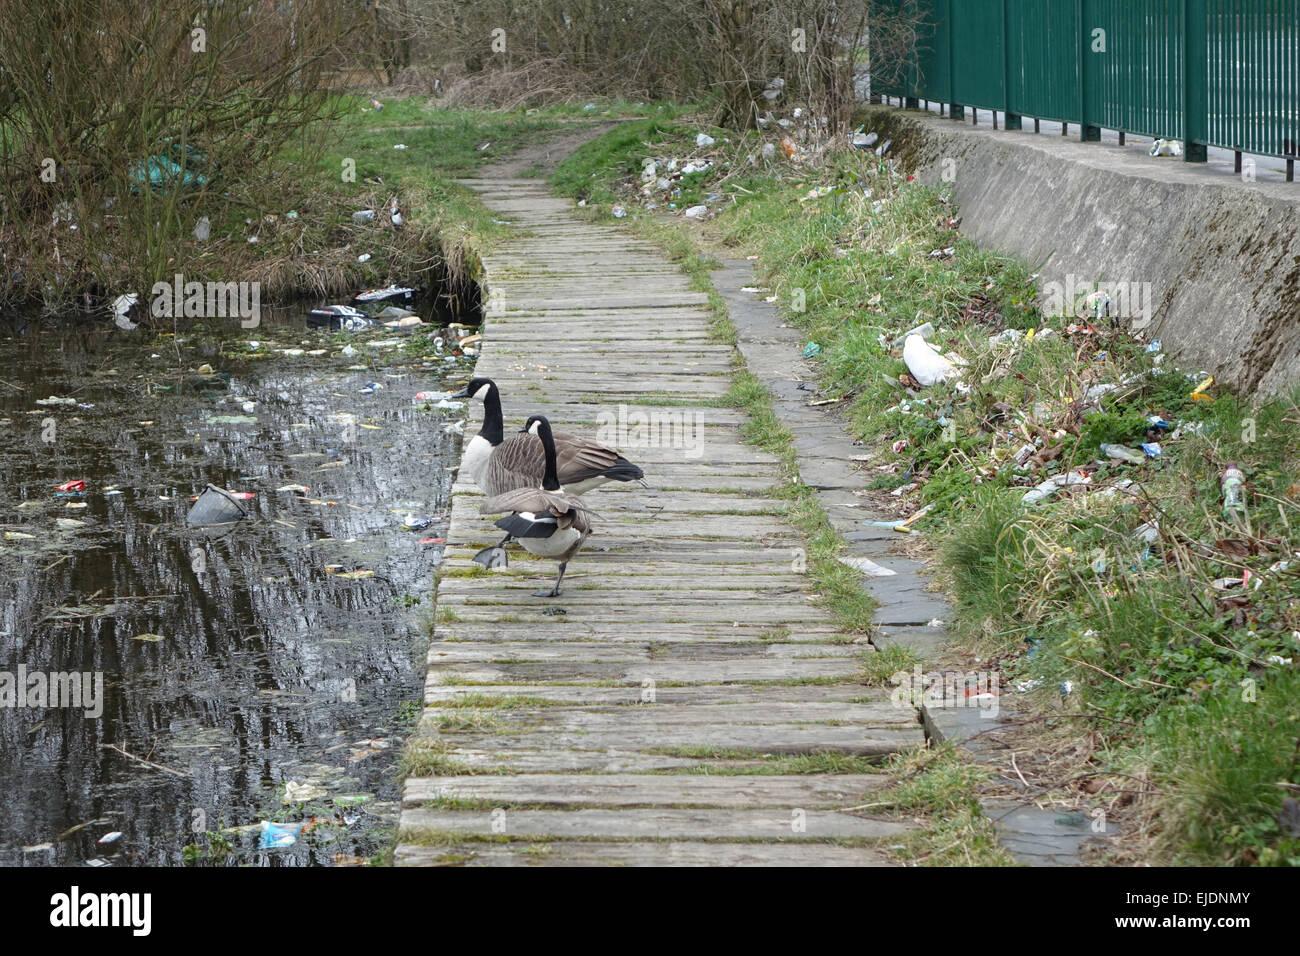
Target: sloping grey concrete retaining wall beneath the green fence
pixel 1223 258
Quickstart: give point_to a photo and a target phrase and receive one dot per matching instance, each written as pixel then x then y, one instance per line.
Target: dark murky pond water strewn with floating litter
pixel 283 652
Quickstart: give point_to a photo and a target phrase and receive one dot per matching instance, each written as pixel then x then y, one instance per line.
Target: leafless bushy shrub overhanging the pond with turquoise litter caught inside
pixel 122 124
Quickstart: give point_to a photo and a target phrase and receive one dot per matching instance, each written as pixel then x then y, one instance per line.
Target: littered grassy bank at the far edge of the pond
pixel 301 211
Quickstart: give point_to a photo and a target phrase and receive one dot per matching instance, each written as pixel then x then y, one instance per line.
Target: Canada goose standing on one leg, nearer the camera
pixel 545 520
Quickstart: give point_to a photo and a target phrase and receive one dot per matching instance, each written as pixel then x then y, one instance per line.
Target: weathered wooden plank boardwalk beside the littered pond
pixel 664 708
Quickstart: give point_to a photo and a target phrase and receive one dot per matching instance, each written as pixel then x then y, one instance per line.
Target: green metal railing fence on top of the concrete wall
pixel 1220 73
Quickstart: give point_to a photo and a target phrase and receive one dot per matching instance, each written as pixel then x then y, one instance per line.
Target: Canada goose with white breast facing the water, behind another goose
pixel 497 465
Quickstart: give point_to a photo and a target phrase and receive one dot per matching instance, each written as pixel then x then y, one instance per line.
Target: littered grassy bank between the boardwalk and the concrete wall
pixel 1177 685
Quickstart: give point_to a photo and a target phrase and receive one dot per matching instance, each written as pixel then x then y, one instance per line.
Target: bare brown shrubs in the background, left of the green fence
pixel 723 51
